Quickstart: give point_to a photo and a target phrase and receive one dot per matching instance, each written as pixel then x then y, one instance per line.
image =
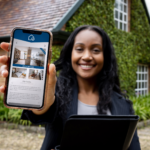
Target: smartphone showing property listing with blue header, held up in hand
pixel 30 52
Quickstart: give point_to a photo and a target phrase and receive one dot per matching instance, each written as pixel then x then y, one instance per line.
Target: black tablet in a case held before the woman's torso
pixel 98 132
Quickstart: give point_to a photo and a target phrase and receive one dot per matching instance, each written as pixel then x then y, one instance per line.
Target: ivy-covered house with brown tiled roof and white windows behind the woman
pixel 125 21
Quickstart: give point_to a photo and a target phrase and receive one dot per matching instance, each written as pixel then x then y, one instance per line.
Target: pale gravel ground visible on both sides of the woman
pixel 17 139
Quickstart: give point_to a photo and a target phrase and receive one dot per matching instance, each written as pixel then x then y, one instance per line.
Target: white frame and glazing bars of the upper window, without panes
pixel 119 11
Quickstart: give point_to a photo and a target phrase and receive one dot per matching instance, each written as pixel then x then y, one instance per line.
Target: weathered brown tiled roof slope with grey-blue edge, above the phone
pixel 45 14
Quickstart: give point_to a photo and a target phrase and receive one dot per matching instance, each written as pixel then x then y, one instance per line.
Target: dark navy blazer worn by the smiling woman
pixel 54 123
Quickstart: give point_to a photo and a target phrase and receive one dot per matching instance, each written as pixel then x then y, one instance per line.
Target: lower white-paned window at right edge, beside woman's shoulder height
pixel 142 80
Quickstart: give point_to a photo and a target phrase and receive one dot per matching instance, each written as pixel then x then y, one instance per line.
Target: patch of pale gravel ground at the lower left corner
pixel 19 140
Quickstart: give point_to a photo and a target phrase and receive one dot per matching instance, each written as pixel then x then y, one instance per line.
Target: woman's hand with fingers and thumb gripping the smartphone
pixel 50 81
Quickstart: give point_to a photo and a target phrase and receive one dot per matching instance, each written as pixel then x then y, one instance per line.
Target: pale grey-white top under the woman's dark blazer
pixel 85 109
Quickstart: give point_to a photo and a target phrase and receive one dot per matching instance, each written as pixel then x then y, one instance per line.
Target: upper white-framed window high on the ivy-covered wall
pixel 121 14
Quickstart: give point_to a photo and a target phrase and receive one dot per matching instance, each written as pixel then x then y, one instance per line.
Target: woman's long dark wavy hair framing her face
pixel 108 80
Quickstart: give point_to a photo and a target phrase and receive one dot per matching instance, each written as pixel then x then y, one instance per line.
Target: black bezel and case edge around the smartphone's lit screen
pixel 9 65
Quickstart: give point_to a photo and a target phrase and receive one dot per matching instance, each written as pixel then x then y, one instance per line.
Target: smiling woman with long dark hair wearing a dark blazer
pixel 88 77
